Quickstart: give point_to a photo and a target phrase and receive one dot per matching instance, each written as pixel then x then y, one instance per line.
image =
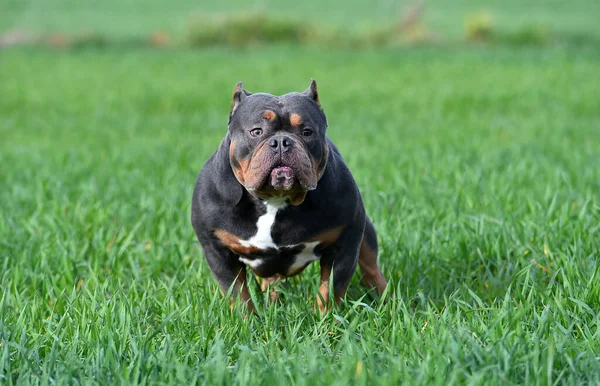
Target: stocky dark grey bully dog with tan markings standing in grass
pixel 277 195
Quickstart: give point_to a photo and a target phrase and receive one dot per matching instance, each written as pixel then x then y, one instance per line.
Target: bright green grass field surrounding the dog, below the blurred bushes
pixel 479 167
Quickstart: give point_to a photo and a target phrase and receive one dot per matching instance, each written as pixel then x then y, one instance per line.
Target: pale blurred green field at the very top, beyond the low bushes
pixel 130 17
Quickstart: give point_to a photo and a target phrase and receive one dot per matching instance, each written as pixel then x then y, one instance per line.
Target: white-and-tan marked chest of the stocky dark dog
pixel 264 255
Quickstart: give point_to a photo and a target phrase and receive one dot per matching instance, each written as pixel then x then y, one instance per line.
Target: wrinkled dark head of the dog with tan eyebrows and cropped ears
pixel 278 146
